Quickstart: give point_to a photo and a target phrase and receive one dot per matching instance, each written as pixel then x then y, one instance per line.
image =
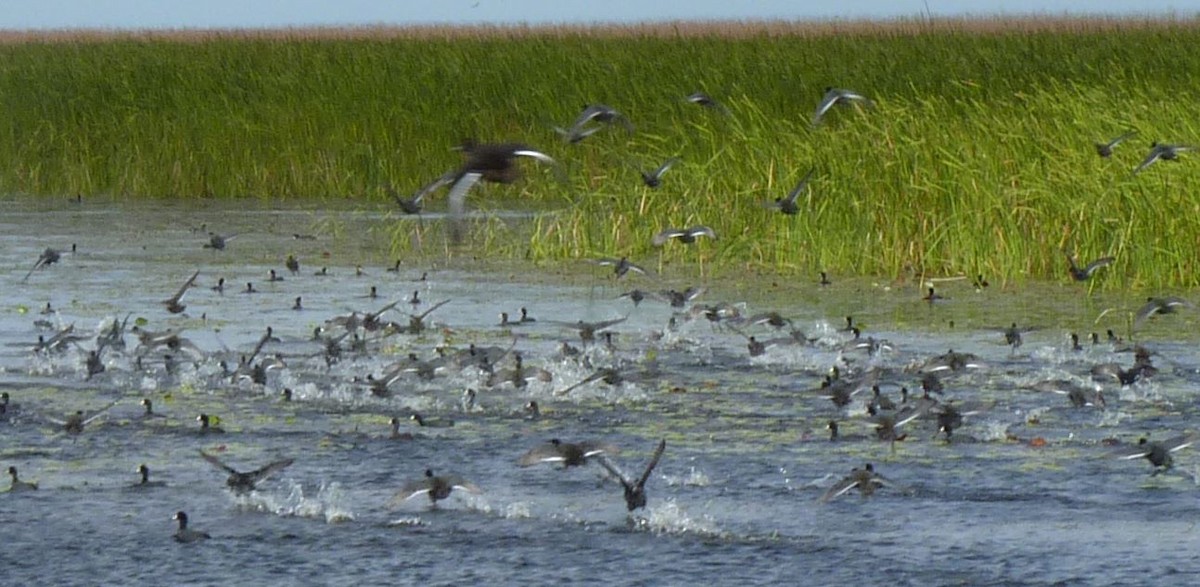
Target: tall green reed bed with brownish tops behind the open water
pixel 975 157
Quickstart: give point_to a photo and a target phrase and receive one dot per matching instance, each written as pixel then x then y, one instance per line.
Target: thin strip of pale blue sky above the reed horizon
pixel 274 14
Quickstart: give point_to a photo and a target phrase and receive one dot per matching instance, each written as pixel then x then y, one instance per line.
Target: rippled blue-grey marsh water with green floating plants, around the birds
pixel 735 501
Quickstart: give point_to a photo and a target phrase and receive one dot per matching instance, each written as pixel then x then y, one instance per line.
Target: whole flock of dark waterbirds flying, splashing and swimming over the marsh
pixel 356 333
